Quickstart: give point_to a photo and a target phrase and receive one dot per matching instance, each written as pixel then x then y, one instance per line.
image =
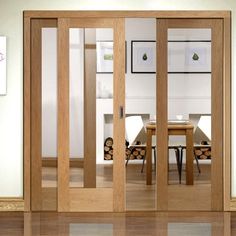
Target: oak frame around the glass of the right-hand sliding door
pixel 215 190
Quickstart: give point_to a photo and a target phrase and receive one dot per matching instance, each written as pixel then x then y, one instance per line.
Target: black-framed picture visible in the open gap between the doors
pixel 143 56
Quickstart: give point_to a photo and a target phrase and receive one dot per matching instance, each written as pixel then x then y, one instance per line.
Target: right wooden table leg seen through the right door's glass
pixel 189 156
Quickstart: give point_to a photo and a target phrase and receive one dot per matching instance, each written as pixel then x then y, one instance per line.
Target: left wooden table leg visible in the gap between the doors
pixel 149 158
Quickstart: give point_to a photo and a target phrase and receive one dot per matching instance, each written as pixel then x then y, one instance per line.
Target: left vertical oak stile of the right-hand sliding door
pixel 161 129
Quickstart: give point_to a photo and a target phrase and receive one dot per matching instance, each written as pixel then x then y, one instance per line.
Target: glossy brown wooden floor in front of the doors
pixel 106 224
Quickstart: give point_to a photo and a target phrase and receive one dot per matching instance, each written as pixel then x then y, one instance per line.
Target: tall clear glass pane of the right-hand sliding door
pixel 189 102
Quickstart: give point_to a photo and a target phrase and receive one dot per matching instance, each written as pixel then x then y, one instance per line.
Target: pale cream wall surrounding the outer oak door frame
pixel 11 106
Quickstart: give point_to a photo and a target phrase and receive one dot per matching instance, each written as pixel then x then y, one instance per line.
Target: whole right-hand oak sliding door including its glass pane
pixel 190 87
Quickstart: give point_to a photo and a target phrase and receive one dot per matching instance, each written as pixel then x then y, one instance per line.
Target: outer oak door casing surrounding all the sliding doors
pixel 228 202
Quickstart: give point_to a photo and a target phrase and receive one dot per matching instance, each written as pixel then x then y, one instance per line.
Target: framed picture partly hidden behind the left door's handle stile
pixel 104 51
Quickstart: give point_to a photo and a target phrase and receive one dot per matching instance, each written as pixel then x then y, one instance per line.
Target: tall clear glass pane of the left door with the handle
pixel 91 107
